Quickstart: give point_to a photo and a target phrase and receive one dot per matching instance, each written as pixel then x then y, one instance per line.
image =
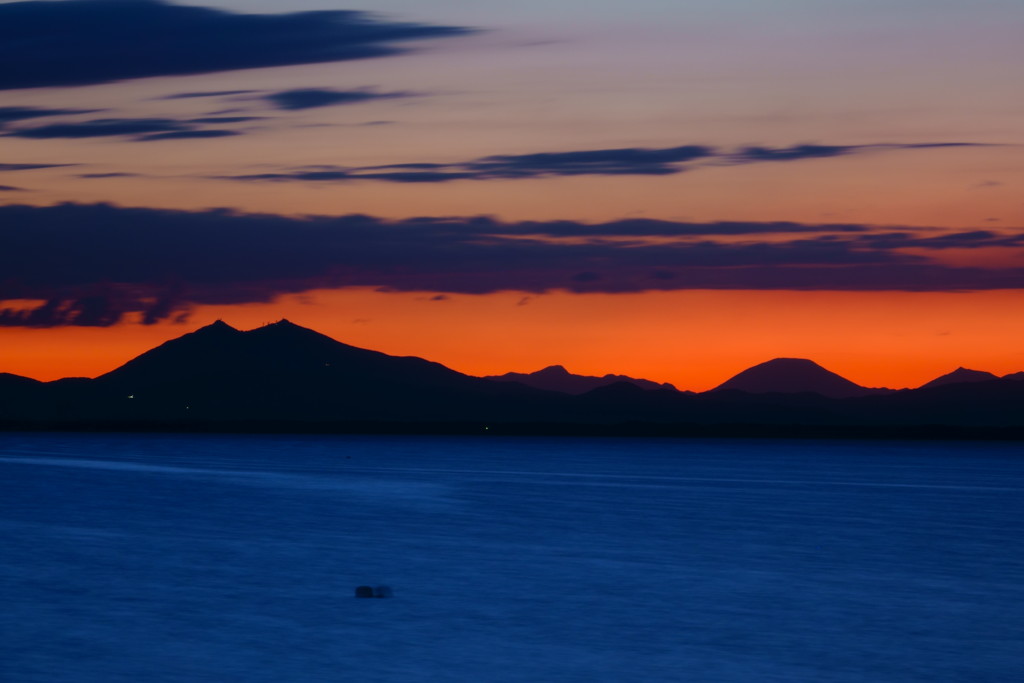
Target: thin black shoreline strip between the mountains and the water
pixel 631 430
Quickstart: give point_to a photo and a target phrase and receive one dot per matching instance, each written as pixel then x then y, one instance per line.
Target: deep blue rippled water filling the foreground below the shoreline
pixel 235 559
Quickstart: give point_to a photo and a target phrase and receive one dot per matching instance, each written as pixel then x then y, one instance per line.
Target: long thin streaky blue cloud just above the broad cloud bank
pixel 626 161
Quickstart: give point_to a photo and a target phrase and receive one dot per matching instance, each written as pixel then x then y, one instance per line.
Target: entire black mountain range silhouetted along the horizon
pixel 283 376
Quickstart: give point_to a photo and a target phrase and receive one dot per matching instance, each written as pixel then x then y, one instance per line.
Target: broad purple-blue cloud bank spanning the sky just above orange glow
pixel 97 265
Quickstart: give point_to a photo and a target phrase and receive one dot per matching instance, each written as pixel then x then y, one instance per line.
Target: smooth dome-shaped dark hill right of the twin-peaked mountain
pixel 794 376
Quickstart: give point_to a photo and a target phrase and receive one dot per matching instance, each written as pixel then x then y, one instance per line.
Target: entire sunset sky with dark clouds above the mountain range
pixel 665 189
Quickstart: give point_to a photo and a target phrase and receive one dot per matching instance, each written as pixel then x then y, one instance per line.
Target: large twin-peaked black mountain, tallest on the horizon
pixel 286 372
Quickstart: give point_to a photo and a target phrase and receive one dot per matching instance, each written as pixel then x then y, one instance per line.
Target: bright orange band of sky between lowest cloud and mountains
pixel 694 339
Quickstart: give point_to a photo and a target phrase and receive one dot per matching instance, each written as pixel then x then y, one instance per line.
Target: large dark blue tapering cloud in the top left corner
pixel 83 42
